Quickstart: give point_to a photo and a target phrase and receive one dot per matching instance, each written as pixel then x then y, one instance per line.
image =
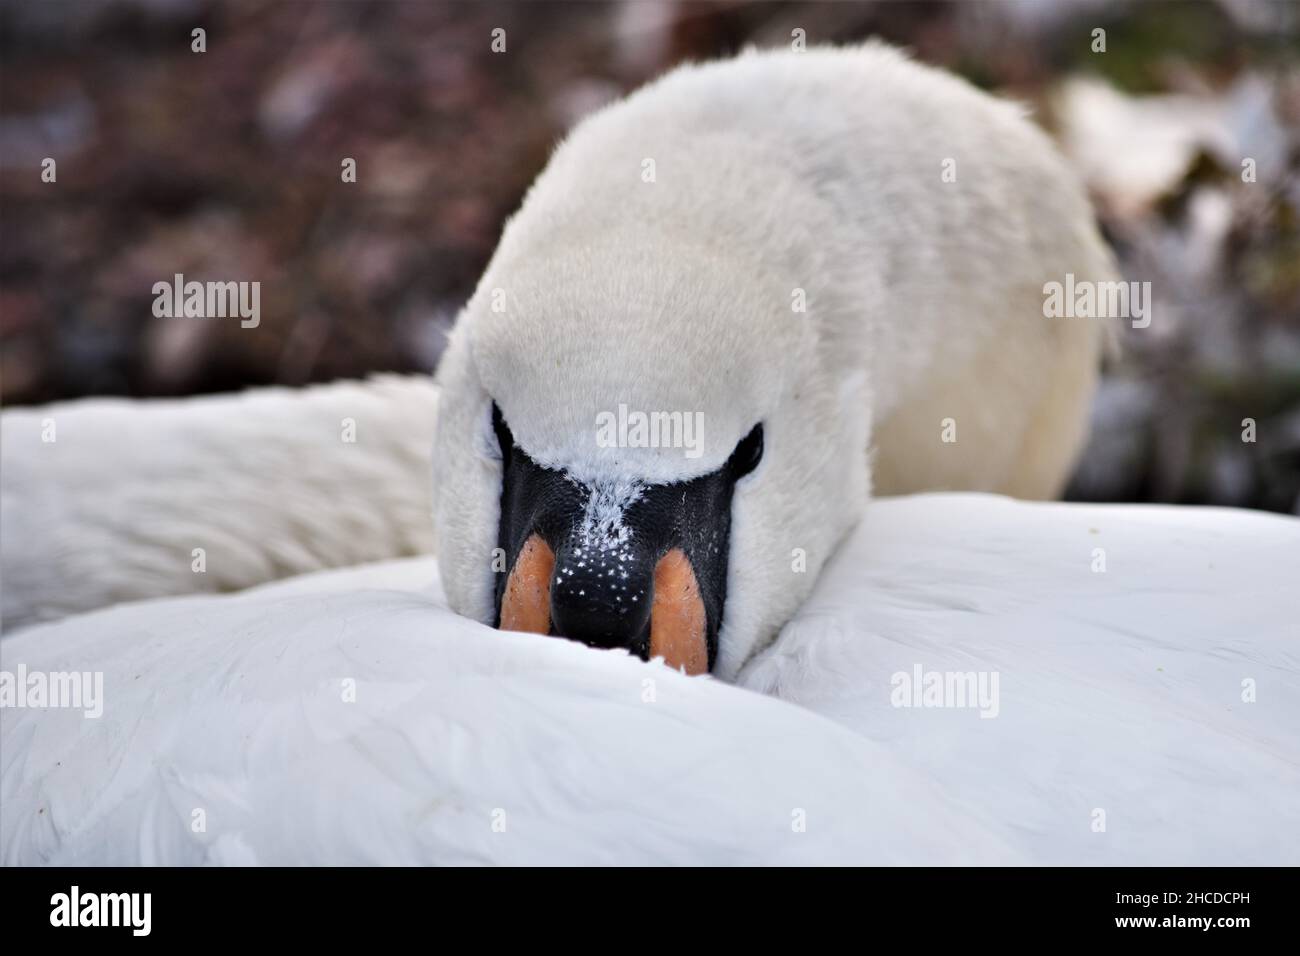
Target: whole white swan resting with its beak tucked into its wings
pixel 1115 685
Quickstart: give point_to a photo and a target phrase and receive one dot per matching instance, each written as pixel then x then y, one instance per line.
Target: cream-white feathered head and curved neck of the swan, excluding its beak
pixel 779 172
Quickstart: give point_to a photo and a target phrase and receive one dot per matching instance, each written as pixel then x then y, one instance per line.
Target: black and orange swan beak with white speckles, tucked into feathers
pixel 617 564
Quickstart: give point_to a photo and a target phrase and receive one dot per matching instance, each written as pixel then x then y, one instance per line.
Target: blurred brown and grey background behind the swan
pixel 227 166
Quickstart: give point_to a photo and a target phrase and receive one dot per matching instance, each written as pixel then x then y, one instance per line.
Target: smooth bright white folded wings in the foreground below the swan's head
pixel 1120 691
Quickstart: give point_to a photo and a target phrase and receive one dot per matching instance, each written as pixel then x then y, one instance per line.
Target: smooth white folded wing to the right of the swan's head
pixel 1120 690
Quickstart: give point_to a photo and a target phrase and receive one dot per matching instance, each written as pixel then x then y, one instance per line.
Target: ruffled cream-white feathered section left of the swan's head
pixel 265 482
